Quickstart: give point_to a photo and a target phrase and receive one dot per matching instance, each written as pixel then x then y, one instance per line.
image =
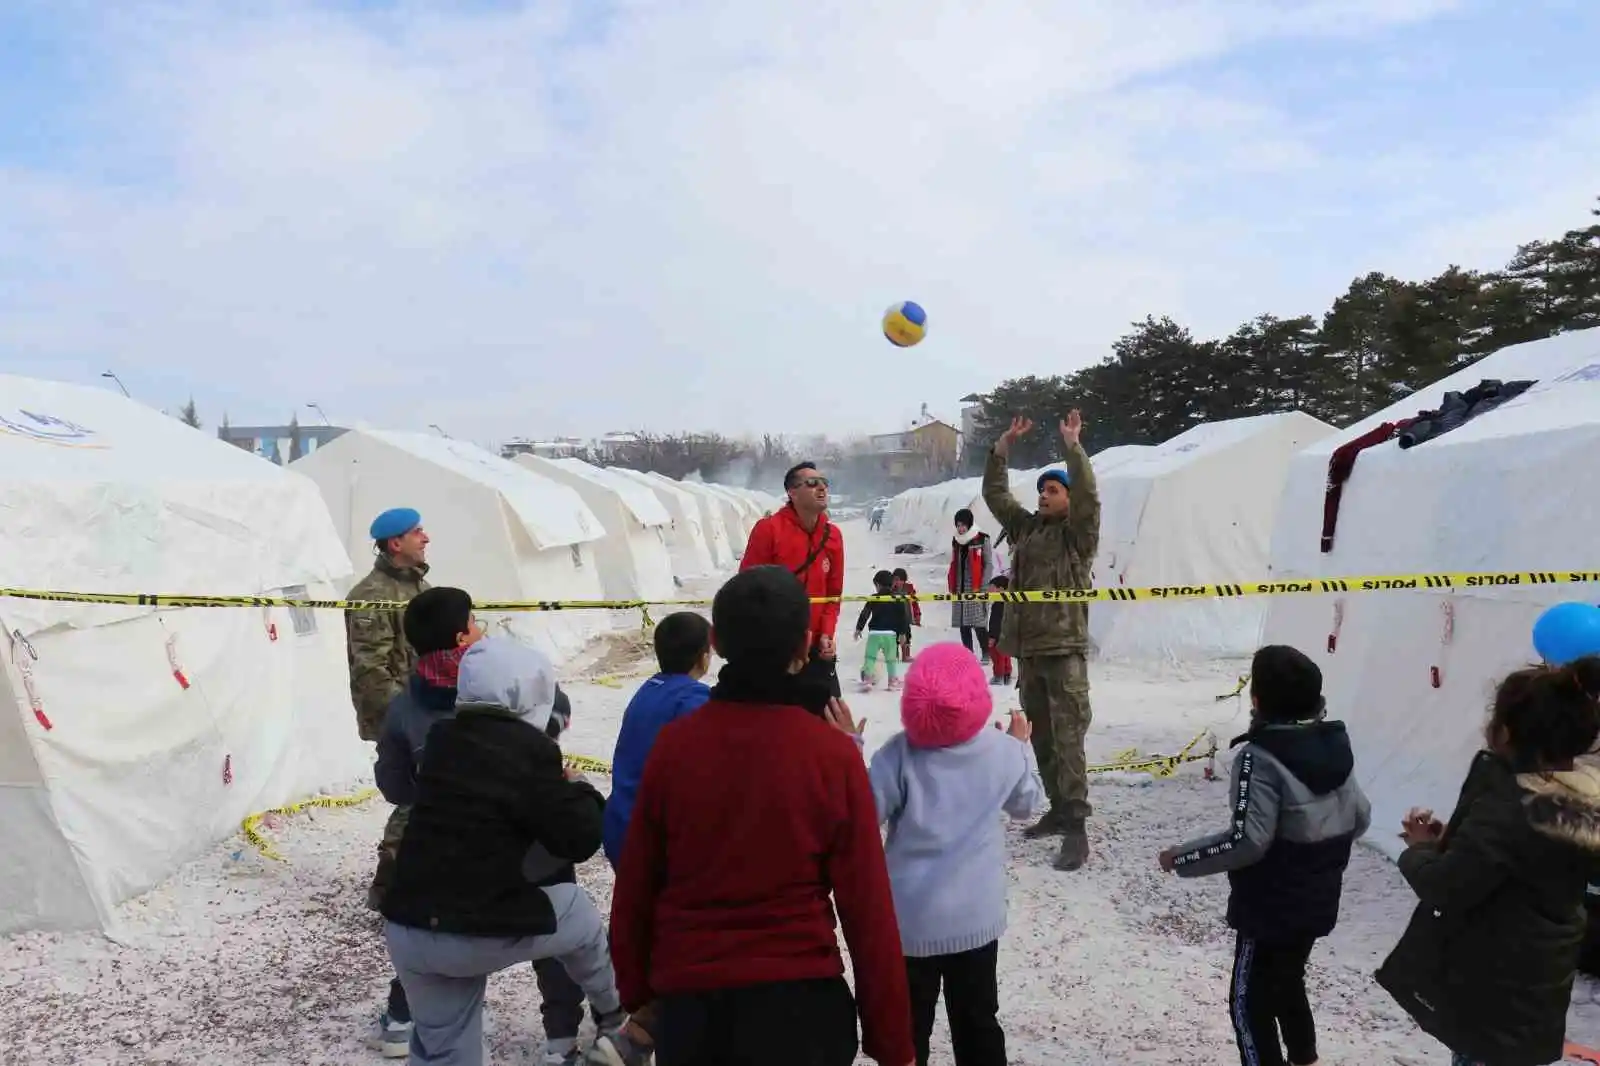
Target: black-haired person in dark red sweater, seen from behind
pixel 753 820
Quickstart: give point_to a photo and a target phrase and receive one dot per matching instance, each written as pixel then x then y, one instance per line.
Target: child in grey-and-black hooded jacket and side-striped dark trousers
pixel 1297 812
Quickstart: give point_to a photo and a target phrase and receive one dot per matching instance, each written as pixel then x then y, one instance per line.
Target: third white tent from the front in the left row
pixel 634 559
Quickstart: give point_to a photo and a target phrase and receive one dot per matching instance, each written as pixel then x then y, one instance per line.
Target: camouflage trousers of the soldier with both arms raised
pixel 1057 702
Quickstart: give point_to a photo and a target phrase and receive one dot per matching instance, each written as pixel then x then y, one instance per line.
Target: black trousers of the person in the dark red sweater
pixel 783 1024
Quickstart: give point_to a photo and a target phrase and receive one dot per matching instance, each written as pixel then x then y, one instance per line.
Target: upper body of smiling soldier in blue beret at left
pixel 380 659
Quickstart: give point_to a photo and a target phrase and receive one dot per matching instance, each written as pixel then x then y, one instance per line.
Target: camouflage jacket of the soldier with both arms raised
pixel 1047 555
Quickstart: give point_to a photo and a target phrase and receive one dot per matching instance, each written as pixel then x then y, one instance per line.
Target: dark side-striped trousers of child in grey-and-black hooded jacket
pixel 1268 998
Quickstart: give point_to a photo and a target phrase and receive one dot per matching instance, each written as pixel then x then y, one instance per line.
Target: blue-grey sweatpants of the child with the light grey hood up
pixel 446 976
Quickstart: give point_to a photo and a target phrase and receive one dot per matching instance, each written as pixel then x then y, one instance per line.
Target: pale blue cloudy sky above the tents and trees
pixel 572 217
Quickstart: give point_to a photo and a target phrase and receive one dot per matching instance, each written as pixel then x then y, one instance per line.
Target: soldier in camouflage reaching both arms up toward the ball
pixel 1052 550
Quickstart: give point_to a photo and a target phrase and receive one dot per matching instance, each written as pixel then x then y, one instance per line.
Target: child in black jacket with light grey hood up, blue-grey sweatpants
pixel 479 881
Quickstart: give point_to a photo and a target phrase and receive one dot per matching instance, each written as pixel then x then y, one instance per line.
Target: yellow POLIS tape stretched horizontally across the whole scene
pixel 1295 587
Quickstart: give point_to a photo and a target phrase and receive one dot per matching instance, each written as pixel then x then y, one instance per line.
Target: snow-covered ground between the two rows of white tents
pixel 250 963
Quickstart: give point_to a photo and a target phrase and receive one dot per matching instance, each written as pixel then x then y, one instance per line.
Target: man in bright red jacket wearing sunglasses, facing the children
pixel 802 540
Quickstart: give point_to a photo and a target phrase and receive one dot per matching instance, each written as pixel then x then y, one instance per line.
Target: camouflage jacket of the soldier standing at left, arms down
pixel 380 657
